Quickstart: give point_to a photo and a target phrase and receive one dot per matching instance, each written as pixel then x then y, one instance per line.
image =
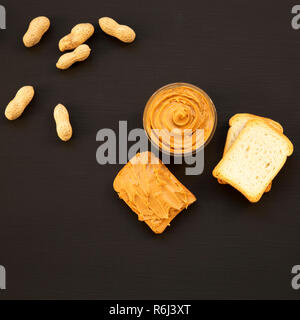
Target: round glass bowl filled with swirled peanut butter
pixel 176 110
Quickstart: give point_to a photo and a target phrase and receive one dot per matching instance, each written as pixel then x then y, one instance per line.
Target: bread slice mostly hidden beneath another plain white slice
pixel 237 123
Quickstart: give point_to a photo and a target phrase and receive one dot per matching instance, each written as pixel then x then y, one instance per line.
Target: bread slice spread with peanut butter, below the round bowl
pixel 152 191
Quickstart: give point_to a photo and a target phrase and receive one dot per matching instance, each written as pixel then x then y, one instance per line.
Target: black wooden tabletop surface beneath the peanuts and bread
pixel 63 231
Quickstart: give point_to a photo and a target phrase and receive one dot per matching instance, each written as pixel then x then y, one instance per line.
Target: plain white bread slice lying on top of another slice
pixel 254 159
